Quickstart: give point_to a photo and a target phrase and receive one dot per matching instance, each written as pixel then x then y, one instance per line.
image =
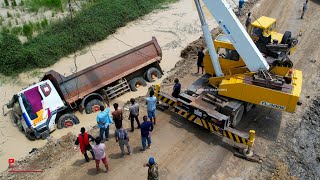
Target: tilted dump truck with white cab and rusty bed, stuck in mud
pixel 41 107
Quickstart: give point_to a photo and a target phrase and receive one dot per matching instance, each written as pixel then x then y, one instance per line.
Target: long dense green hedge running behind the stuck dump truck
pixel 89 26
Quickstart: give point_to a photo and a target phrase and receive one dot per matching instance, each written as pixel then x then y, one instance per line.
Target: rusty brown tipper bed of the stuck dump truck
pixel 88 80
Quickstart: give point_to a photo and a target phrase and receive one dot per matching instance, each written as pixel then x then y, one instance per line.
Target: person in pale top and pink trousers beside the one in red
pixel 100 154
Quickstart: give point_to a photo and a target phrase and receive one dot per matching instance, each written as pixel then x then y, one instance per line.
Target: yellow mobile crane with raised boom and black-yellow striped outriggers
pixel 232 85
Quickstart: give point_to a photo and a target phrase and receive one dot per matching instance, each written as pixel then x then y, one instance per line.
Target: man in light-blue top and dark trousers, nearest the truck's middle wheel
pixel 104 120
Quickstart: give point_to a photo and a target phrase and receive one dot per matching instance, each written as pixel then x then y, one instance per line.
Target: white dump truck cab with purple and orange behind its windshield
pixel 38 106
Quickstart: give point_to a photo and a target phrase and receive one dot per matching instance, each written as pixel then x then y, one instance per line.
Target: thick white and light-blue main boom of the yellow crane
pixel 231 26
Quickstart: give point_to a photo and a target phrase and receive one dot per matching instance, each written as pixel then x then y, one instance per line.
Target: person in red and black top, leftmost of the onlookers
pixel 83 141
